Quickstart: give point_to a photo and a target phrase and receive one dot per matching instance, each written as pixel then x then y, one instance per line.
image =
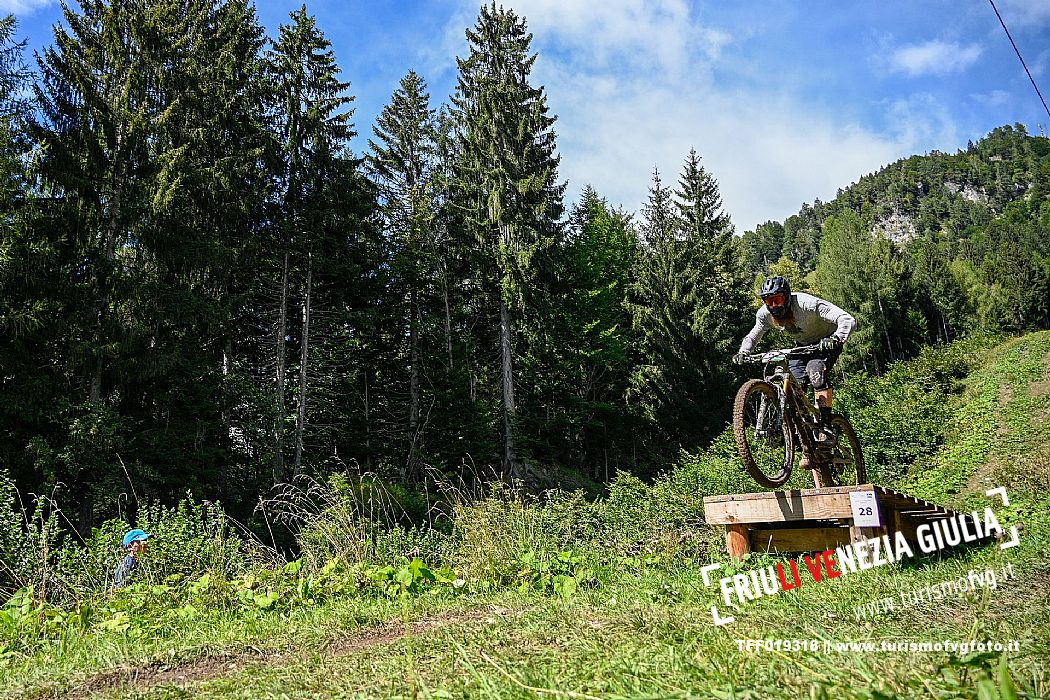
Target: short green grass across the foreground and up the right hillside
pixel 645 629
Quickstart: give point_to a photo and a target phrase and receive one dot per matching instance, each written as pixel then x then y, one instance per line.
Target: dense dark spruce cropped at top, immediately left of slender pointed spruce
pixel 204 239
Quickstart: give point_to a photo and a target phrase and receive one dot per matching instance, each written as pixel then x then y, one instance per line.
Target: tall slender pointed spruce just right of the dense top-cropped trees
pixel 313 129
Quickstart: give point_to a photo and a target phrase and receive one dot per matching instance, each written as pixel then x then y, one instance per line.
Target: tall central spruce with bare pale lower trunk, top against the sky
pixel 508 174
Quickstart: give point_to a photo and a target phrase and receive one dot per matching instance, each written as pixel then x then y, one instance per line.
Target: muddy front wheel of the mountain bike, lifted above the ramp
pixel 764 435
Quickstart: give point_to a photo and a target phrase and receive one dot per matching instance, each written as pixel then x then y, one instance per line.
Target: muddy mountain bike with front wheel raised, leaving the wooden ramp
pixel 773 417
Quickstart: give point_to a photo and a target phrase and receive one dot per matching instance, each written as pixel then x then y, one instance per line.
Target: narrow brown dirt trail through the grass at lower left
pixel 139 678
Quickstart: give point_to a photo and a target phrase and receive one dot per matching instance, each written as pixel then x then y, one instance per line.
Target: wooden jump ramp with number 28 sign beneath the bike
pixel 816 520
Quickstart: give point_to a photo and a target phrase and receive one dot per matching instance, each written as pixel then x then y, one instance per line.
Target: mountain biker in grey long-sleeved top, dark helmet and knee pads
pixel 809 321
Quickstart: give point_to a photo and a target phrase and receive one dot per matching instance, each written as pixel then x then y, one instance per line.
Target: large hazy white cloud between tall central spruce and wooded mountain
pixel 634 87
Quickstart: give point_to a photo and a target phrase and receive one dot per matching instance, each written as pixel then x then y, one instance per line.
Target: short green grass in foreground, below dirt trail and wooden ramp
pixel 648 634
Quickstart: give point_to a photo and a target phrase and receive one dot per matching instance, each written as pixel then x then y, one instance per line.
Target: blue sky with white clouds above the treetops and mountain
pixel 785 101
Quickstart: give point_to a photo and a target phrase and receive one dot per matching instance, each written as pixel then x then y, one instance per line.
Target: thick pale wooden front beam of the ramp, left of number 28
pixel 781 507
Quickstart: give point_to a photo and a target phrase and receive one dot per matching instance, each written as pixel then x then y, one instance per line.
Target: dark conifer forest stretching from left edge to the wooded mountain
pixel 205 290
